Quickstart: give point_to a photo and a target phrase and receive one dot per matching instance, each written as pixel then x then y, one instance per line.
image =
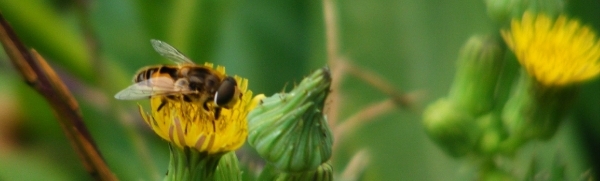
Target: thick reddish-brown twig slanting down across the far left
pixel 41 77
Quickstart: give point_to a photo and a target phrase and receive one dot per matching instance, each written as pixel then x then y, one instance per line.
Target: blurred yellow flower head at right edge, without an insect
pixel 556 53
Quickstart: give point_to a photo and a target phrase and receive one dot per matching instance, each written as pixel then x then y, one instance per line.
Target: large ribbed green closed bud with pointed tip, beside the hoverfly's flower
pixel 289 129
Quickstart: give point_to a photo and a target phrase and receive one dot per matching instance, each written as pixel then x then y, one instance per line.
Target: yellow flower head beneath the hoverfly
pixel 188 124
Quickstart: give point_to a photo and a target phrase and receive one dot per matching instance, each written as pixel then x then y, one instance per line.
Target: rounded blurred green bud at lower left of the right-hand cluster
pixel 451 127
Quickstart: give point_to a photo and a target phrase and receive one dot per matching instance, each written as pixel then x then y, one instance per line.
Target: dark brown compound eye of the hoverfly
pixel 227 94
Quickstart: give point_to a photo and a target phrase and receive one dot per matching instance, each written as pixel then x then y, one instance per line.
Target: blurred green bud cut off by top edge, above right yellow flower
pixel 502 11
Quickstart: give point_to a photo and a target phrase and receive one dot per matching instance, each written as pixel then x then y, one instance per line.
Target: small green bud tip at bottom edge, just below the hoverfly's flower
pixel 228 168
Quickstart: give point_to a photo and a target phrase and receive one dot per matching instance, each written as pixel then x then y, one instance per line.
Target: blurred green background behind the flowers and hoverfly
pixel 411 43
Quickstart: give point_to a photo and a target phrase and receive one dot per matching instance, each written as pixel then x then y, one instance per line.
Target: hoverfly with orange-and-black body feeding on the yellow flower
pixel 185 81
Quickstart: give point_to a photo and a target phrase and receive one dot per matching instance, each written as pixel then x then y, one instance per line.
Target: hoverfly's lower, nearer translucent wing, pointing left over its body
pixel 151 87
